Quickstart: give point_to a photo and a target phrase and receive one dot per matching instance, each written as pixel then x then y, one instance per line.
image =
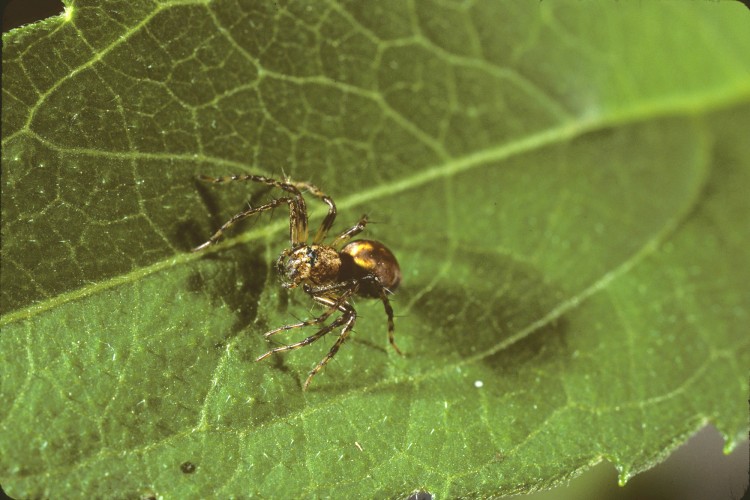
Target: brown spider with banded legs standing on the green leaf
pixel 330 274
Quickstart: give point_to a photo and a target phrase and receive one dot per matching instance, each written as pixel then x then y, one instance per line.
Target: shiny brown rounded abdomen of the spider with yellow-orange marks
pixel 361 258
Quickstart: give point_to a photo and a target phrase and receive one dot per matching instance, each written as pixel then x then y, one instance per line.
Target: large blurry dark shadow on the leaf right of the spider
pixel 490 317
